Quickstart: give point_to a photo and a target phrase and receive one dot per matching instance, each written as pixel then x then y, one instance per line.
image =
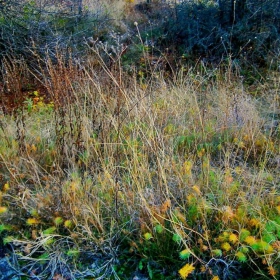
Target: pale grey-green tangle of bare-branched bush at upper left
pixel 30 31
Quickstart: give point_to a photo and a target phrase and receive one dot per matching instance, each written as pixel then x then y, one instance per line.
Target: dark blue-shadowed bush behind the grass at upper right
pixel 247 30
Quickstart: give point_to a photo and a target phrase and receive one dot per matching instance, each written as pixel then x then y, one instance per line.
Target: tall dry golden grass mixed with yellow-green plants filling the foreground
pixel 115 170
